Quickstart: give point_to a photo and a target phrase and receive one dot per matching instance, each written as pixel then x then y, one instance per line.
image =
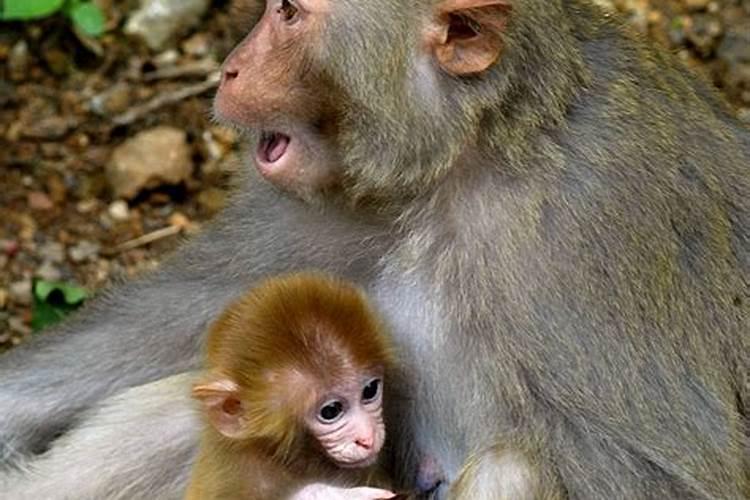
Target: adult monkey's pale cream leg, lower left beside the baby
pixel 147 428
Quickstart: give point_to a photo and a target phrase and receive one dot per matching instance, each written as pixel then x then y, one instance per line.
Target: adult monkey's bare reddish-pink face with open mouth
pixel 264 86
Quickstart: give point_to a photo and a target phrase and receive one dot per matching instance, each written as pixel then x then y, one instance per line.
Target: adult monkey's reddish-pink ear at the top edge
pixel 468 37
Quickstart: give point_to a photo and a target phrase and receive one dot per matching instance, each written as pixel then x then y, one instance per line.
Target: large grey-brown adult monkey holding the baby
pixel 556 220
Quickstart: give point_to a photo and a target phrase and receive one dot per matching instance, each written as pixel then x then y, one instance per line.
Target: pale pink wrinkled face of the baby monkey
pixel 348 423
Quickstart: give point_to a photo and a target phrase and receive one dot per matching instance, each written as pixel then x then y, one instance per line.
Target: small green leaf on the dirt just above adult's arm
pixel 53 301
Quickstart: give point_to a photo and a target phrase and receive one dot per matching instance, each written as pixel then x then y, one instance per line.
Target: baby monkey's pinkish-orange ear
pixel 221 400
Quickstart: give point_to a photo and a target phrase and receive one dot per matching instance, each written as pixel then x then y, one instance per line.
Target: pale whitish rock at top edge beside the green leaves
pixel 159 21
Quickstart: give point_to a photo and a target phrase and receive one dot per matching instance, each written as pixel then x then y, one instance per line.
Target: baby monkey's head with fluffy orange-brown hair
pixel 298 357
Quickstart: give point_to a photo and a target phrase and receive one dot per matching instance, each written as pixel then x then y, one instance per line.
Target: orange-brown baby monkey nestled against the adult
pixel 293 395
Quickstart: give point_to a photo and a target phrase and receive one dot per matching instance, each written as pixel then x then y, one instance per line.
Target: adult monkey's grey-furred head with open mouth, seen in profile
pixel 383 96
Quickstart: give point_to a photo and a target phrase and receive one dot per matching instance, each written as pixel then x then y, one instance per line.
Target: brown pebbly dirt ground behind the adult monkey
pixel 67 103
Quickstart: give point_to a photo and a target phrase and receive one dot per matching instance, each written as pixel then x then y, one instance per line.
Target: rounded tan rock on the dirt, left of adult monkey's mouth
pixel 154 157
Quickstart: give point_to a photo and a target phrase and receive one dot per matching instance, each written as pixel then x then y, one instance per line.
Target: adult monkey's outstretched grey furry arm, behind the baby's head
pixel 151 328
